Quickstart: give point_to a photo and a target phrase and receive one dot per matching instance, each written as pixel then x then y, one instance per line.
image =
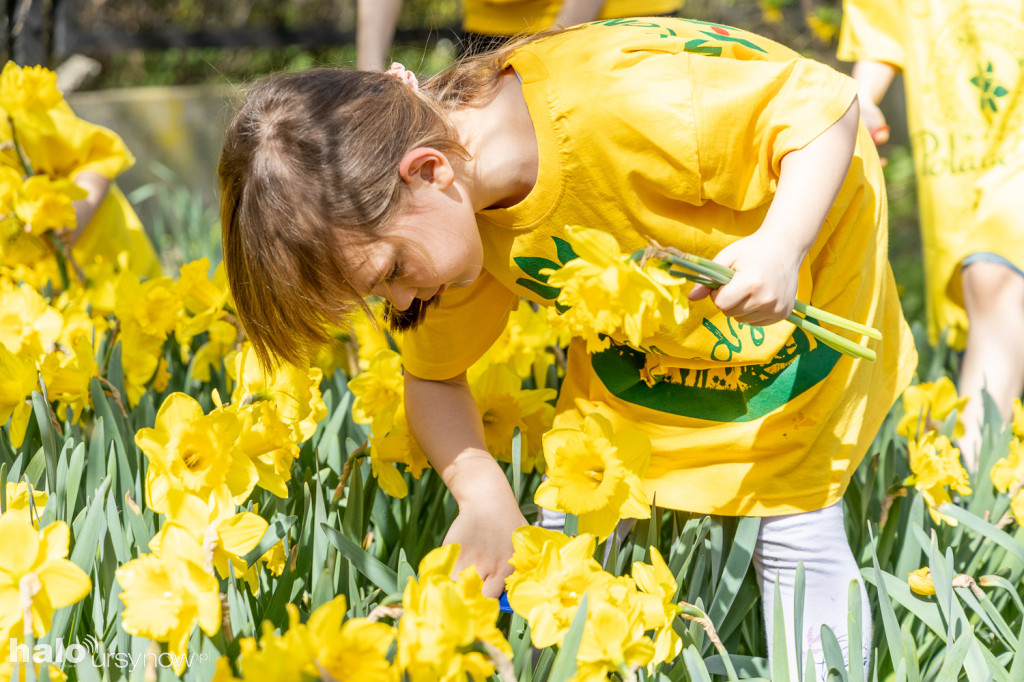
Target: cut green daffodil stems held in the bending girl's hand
pixel 805 317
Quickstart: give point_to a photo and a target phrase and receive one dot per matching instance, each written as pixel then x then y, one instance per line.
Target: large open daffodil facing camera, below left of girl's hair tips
pixel 195 453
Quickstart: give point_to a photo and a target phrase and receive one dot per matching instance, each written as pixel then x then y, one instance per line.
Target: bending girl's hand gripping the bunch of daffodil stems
pixel 764 288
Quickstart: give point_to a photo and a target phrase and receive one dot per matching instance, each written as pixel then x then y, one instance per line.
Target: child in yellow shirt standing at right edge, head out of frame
pixel 962 68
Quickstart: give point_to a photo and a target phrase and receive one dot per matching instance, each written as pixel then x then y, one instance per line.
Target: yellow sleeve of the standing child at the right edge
pixel 871 31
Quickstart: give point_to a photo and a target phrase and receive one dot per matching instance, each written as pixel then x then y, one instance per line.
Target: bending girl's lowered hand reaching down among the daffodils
pixel 484 529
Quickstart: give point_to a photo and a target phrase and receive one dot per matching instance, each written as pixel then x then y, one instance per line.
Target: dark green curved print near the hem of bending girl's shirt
pixel 740 394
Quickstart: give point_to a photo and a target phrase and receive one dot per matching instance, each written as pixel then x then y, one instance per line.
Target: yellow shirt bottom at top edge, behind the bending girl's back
pixel 510 18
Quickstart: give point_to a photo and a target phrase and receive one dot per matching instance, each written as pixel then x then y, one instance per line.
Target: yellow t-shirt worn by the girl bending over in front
pixel 675 131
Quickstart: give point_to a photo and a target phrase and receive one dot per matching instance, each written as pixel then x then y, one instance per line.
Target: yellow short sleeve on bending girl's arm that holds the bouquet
pixel 749 115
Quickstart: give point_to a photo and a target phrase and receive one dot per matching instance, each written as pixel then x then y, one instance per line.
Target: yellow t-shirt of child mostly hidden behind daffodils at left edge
pixel 73 147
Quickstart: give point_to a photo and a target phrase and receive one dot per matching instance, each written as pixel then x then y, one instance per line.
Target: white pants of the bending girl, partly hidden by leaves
pixel 819 541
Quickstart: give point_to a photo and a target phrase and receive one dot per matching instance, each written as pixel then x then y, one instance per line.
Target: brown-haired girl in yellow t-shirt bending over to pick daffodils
pixel 337 185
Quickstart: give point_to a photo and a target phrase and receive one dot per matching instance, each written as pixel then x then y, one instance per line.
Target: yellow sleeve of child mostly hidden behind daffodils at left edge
pixel 80 146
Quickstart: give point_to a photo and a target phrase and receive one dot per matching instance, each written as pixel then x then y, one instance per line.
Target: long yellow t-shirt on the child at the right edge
pixel 965 88
